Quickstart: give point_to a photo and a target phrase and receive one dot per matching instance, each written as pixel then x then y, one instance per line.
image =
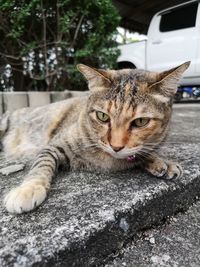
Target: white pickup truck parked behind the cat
pixel 173 38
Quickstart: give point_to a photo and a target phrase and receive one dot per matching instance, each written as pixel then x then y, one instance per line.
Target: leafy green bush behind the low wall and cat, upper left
pixel 74 30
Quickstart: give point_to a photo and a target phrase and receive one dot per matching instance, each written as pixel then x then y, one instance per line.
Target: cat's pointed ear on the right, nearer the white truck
pixel 167 81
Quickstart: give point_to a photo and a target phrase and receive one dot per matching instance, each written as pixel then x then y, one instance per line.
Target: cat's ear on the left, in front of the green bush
pixel 97 79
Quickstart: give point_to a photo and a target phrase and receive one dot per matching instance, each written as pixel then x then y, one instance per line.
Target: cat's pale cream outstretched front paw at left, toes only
pixel 25 198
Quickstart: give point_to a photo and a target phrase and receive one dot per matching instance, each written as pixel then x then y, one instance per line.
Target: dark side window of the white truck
pixel 179 18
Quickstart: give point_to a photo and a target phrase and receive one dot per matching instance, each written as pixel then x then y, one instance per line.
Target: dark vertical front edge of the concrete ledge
pixel 101 246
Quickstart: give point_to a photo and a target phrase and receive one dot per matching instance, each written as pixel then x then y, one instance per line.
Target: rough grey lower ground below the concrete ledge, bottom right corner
pixel 176 244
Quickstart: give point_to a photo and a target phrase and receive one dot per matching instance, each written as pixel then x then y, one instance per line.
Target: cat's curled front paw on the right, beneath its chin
pixel 163 168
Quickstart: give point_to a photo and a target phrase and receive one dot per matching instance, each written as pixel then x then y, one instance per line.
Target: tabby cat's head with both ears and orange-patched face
pixel 129 110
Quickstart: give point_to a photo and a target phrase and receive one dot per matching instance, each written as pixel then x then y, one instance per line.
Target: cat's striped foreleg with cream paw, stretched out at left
pixel 33 190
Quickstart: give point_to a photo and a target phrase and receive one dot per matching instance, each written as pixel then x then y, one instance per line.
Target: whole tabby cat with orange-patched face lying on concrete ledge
pixel 116 127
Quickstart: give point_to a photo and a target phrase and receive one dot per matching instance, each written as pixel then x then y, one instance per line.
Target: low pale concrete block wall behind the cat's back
pixel 15 100
